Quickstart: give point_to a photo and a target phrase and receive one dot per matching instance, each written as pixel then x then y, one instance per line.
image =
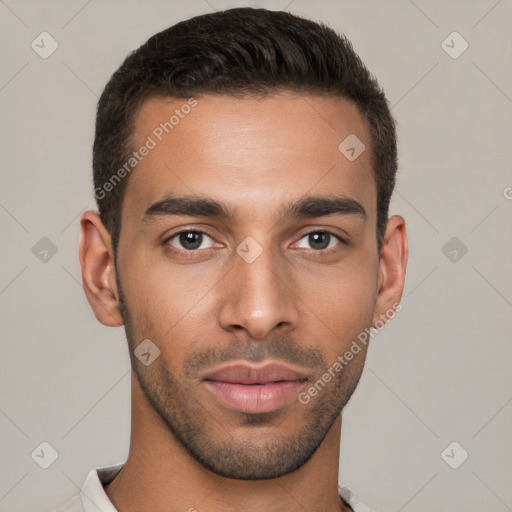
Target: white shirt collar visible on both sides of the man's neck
pixel 93 498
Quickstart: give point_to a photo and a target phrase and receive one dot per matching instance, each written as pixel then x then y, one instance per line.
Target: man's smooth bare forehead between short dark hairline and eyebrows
pixel 256 152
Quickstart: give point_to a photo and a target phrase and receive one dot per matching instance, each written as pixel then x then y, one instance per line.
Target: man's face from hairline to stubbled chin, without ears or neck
pixel 248 256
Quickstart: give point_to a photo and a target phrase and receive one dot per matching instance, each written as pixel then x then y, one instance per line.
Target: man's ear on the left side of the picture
pixel 98 270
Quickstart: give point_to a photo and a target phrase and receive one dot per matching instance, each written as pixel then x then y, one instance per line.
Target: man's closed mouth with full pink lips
pixel 255 389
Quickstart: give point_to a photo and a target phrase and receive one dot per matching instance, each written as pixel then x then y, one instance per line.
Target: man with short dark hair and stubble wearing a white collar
pixel 243 167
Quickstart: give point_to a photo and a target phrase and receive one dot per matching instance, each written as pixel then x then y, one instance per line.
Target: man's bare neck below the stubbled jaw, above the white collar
pixel 160 475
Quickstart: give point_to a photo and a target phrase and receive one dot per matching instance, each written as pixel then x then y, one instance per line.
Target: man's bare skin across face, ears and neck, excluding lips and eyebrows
pixel 295 303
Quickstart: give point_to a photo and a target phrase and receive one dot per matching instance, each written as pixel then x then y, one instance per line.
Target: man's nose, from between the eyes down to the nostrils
pixel 258 298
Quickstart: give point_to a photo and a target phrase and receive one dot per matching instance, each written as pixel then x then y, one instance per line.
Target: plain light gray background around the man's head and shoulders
pixel 438 373
